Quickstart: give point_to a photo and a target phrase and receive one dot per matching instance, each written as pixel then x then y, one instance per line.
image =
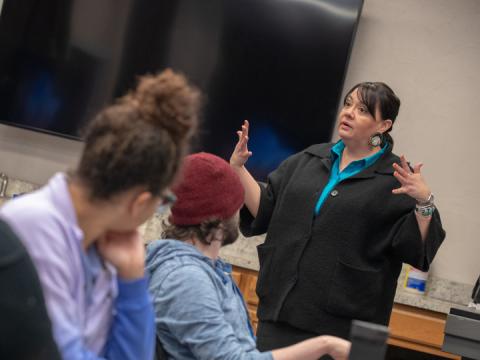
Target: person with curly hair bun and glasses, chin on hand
pixel 81 228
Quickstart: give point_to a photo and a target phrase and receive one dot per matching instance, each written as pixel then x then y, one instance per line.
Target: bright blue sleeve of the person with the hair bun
pixel 132 335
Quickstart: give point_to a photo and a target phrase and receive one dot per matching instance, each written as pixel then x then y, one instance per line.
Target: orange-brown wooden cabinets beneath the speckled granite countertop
pixel 410 327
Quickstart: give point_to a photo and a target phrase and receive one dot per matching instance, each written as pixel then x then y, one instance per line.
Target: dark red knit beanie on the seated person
pixel 208 189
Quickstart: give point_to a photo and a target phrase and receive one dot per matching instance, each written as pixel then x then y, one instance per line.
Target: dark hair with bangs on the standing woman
pixel 378 95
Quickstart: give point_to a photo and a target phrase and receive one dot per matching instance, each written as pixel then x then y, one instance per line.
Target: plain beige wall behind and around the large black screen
pixel 429 52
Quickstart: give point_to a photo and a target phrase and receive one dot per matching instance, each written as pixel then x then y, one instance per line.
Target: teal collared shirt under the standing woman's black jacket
pixel 337 176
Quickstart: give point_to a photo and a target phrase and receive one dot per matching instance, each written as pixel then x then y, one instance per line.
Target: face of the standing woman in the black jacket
pixel 356 124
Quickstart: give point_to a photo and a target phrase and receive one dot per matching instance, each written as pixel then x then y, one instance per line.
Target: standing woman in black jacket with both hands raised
pixel 340 220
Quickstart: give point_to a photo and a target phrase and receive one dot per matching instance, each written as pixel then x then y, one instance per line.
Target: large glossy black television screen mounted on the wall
pixel 279 63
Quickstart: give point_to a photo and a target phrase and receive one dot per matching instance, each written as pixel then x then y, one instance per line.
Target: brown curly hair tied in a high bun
pixel 141 139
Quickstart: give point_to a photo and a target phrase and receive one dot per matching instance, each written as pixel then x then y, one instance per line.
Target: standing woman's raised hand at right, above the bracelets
pixel 412 182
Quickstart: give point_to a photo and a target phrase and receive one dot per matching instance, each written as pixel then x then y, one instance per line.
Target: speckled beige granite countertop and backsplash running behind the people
pixel 440 295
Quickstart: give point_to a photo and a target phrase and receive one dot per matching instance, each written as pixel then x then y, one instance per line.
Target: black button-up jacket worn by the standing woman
pixel 319 273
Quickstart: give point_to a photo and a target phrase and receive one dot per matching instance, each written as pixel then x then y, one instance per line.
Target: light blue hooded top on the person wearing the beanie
pixel 199 311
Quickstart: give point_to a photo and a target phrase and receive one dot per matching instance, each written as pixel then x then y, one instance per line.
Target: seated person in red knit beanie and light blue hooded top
pixel 199 311
